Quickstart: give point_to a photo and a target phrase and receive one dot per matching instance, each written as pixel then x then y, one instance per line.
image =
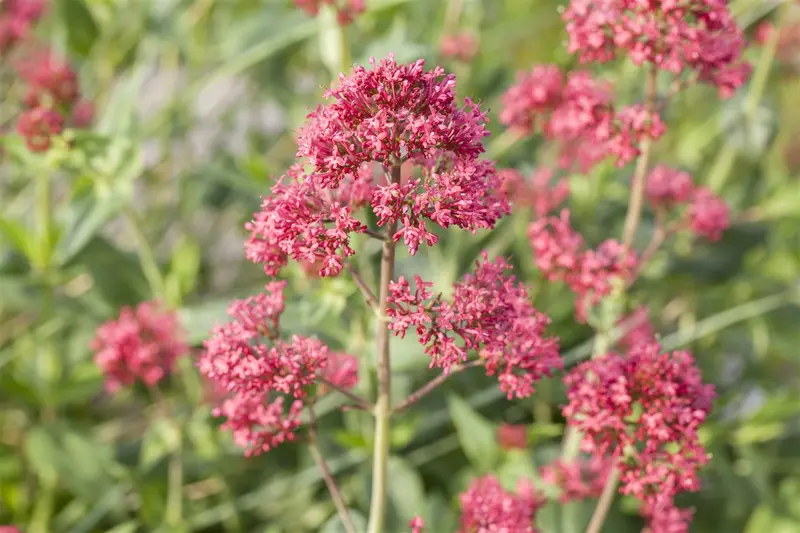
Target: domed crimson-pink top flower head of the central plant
pixel 389 114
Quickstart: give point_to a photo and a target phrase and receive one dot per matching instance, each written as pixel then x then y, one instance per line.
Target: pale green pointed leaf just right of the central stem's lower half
pixel 475 433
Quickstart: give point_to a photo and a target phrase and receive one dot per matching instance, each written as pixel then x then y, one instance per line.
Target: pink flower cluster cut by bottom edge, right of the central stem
pixel 486 507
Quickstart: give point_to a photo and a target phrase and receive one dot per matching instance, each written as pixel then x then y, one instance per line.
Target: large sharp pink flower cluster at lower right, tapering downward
pixel 643 409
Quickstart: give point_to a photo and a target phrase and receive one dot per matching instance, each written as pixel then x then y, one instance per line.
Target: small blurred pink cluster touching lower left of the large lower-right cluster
pixel 581 479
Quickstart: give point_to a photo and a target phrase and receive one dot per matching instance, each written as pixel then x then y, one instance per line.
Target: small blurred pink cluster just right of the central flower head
pixel 537 192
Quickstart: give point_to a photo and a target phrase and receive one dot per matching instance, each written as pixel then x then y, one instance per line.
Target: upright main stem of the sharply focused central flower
pixel 383 408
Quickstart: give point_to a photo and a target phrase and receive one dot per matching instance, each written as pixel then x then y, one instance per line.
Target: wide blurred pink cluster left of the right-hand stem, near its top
pixel 577 110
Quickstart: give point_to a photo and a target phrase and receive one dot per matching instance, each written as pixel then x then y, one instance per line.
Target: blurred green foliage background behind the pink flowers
pixel 195 106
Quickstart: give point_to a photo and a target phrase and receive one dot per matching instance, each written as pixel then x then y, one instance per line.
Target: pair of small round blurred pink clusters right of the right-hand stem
pixel 707 215
